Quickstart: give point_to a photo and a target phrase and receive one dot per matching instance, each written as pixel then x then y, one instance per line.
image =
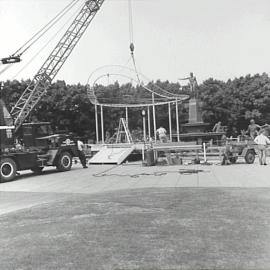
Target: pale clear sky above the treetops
pixel 221 39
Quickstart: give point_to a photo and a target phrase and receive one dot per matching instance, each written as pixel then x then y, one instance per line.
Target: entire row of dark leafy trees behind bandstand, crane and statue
pixel 233 102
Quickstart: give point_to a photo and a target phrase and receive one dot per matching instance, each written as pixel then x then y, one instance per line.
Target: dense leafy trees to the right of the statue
pixel 237 101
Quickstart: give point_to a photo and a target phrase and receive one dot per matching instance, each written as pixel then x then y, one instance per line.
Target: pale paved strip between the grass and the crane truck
pixel 102 178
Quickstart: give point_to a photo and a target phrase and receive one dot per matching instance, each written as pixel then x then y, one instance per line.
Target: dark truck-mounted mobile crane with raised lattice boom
pixel 41 147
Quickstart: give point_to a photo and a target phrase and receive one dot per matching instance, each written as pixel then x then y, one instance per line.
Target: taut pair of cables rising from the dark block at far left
pixel 44 29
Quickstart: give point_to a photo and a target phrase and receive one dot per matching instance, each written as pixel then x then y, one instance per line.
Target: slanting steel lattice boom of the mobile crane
pixel 42 80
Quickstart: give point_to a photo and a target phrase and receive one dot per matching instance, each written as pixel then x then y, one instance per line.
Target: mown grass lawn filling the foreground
pixel 185 228
